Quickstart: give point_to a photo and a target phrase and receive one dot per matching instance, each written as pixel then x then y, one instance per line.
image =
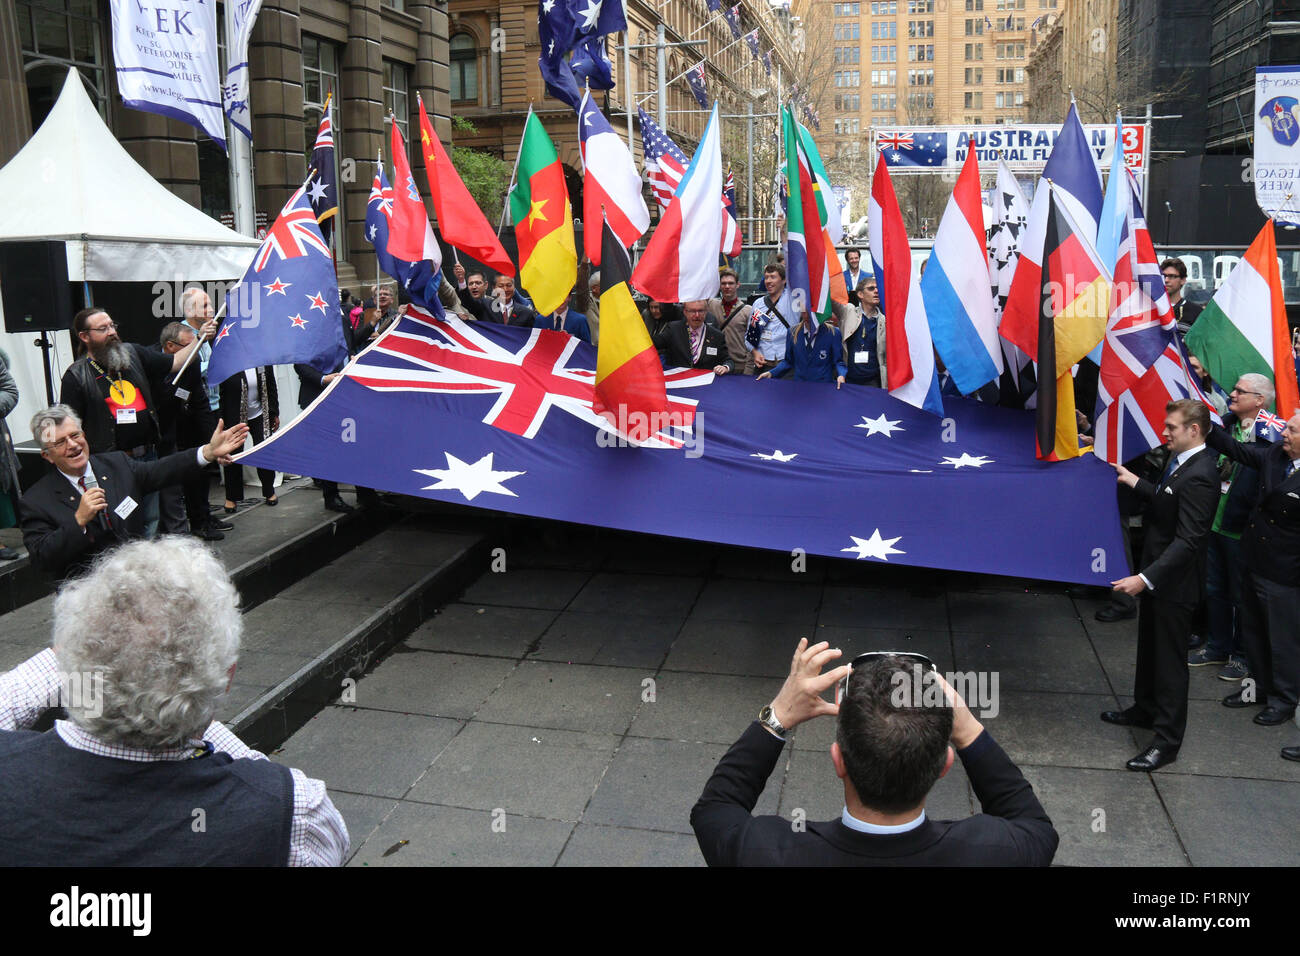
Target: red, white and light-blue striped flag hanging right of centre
pixel 956 289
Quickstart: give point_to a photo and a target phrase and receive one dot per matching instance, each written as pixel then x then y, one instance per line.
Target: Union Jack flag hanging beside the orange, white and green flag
pixel 1145 364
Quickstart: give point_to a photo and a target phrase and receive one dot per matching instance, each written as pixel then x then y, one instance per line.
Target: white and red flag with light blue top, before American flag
pixel 681 263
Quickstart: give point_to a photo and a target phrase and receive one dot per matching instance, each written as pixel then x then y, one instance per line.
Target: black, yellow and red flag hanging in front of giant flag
pixel 630 391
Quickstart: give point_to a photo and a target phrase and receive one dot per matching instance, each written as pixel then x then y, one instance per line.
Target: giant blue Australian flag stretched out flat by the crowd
pixel 501 418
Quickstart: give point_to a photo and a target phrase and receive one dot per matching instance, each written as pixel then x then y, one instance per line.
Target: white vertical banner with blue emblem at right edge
pixel 1277 142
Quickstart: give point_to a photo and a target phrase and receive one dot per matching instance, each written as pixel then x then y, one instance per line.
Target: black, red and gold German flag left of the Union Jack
pixel 1073 319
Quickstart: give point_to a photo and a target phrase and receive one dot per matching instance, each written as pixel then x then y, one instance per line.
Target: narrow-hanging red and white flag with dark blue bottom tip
pixel 911 364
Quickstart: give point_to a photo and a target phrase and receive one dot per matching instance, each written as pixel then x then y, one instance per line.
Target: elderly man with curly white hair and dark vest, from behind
pixel 142 776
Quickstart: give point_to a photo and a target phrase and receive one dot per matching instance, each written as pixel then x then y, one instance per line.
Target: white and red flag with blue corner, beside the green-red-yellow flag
pixel 610 183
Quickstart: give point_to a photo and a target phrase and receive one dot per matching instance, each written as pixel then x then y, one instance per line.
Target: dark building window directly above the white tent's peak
pixel 54 36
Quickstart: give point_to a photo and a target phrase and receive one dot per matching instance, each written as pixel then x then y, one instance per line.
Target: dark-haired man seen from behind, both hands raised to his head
pixel 890 751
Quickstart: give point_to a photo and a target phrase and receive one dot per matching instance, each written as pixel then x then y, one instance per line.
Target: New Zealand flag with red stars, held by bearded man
pixel 285 309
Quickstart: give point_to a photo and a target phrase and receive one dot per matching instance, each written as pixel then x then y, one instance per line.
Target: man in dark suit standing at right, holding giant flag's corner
pixel 1181 509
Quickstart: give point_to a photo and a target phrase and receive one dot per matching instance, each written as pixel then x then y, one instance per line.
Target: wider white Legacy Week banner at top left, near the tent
pixel 166 53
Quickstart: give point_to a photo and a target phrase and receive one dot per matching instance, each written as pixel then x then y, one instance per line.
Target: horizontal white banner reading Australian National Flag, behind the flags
pixel 1026 149
